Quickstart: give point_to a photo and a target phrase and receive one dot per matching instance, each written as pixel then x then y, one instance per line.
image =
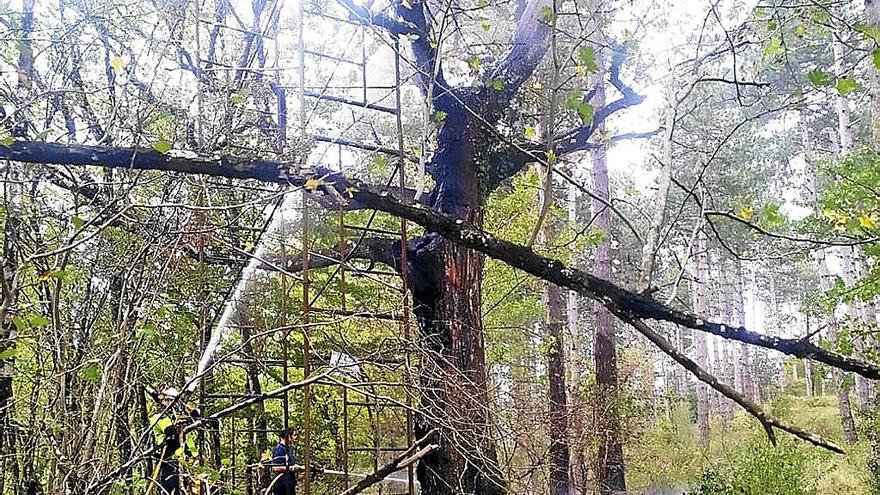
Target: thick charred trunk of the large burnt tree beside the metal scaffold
pixel 446 279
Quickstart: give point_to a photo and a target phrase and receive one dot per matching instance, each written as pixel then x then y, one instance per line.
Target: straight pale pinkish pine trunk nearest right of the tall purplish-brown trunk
pixel 701 307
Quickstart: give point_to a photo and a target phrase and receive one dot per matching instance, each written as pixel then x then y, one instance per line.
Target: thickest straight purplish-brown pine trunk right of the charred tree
pixel 609 466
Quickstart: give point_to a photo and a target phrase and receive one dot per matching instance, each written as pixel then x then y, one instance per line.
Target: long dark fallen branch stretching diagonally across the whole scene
pixel 335 187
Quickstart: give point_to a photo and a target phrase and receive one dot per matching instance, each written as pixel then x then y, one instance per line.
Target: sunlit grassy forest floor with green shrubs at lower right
pixel 667 458
